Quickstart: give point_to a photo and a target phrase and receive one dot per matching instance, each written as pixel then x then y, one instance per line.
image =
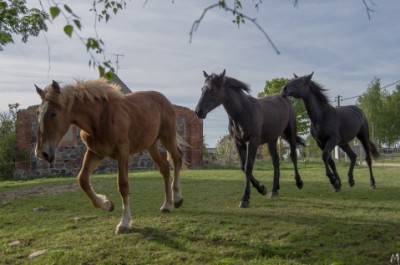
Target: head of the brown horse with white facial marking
pixel 53 121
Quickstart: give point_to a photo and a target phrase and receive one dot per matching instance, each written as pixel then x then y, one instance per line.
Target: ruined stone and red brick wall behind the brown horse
pixel 71 149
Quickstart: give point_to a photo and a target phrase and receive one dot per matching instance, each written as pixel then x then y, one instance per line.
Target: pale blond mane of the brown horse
pixel 92 90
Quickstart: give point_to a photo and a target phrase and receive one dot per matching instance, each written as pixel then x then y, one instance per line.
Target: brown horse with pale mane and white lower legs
pixel 112 125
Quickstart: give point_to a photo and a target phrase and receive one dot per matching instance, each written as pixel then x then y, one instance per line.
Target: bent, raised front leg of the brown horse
pixel 90 162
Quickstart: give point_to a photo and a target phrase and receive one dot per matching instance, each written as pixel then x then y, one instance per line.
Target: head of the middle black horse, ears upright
pixel 211 95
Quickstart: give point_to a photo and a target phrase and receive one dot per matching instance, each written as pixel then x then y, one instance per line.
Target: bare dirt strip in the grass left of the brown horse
pixel 11 195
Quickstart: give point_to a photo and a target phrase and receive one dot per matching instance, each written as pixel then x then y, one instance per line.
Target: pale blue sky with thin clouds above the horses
pixel 335 39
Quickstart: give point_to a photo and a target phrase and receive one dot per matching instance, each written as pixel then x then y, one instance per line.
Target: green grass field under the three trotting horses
pixel 309 226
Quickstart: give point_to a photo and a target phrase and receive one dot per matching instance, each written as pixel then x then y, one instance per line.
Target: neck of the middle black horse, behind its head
pixel 236 104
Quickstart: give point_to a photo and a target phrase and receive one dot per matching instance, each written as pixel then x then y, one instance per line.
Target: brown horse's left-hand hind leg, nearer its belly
pixel 163 167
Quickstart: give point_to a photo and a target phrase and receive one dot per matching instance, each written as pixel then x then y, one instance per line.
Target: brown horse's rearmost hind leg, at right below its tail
pixel 176 154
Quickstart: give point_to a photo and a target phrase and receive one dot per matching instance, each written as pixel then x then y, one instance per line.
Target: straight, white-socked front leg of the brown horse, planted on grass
pixel 123 187
